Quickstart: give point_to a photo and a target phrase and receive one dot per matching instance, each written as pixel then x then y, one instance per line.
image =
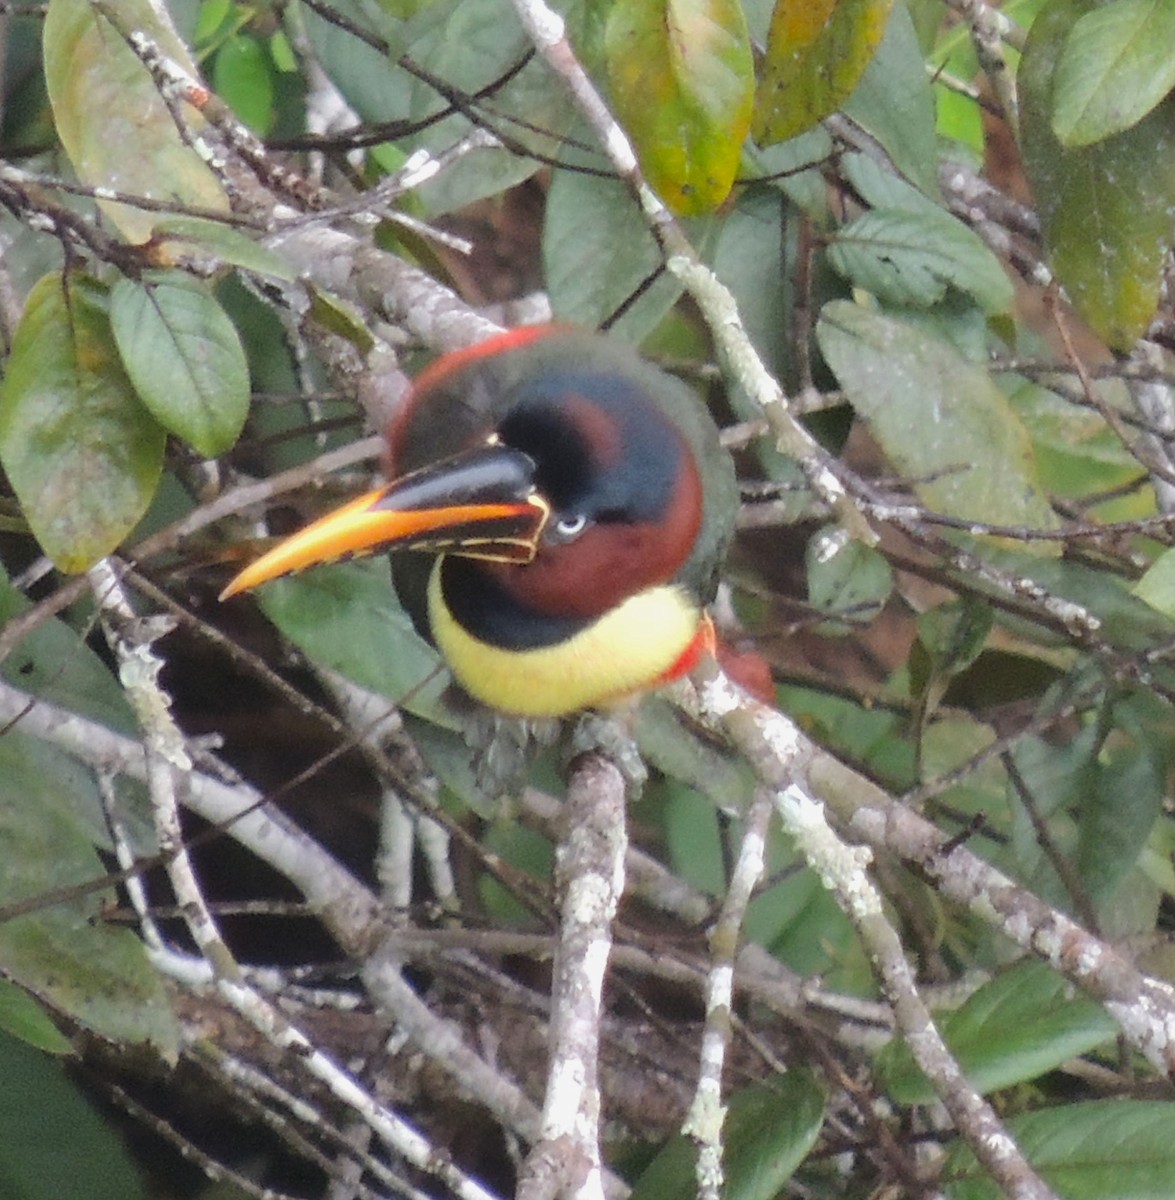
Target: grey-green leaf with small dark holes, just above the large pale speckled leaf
pixel 909 259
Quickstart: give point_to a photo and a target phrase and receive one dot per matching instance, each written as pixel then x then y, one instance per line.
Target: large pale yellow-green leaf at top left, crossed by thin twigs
pixel 112 122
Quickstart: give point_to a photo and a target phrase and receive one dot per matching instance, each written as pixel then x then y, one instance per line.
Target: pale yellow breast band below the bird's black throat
pixel 624 652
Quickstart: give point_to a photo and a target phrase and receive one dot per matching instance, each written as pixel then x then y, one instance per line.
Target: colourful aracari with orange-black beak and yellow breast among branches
pixel 578 505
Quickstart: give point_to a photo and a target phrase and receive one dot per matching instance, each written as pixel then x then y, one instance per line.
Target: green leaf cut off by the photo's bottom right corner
pixel 1099 1150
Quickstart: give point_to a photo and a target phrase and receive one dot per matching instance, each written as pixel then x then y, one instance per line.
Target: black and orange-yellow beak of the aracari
pixel 481 503
